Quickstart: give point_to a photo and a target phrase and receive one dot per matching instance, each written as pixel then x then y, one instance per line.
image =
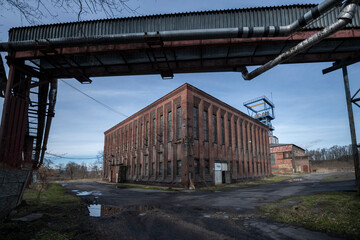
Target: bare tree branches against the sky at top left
pixel 35 10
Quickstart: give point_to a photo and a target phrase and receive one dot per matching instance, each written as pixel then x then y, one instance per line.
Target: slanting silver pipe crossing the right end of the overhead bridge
pixel 345 17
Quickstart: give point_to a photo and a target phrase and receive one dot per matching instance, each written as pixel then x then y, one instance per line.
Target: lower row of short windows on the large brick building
pixel 137 169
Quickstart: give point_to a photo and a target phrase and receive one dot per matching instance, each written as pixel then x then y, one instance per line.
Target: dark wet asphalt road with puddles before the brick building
pixel 228 214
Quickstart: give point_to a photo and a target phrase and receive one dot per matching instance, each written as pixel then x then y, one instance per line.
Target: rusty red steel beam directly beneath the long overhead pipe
pixel 168 45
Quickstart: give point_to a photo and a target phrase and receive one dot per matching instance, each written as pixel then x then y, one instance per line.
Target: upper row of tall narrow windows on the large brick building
pixel 144 141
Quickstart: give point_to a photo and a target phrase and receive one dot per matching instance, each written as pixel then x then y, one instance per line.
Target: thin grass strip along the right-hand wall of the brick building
pixel 246 184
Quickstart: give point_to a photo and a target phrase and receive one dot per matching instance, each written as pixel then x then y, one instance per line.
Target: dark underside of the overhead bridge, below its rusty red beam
pixel 206 65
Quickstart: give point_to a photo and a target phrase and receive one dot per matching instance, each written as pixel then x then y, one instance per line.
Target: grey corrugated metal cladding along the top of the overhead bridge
pixel 249 17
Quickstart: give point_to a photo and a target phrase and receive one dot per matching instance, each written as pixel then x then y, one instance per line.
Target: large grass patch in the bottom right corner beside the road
pixel 337 212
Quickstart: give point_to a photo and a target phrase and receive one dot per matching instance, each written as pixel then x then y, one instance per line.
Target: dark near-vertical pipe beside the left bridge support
pixel 50 115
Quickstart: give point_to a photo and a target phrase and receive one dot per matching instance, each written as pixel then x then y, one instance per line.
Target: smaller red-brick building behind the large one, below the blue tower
pixel 288 158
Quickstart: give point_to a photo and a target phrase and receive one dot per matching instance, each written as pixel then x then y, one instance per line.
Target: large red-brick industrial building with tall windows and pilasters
pixel 187 137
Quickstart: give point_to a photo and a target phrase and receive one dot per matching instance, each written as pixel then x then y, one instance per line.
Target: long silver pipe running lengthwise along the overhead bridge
pixel 194 34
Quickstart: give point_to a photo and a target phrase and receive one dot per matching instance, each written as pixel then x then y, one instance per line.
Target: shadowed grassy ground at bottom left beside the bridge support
pixel 63 215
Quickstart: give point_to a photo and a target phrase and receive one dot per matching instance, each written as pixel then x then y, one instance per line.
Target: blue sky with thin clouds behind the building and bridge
pixel 310 107
